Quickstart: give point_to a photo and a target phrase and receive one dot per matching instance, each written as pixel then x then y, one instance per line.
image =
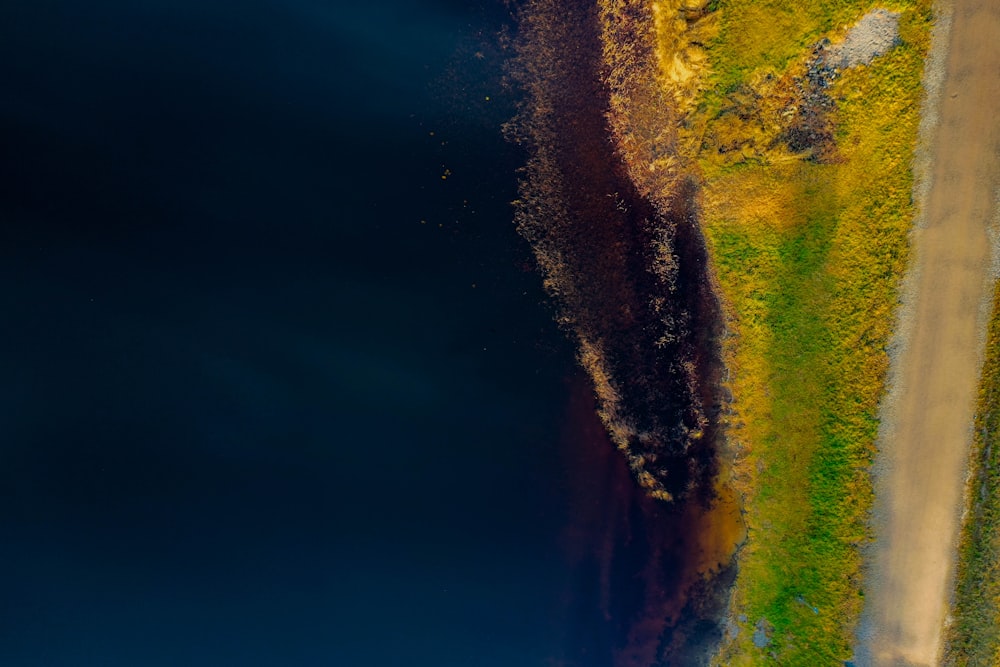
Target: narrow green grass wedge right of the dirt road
pixel 974 638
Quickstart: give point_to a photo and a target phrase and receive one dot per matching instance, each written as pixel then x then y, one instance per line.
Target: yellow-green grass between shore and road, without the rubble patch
pixel 808 258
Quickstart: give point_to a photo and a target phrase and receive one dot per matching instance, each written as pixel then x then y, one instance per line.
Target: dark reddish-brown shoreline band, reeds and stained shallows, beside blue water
pixel 626 265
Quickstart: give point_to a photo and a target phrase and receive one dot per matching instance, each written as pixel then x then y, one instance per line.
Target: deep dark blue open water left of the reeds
pixel 273 392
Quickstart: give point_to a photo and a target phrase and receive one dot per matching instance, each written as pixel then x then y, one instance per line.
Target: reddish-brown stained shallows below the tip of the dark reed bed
pixel 650 578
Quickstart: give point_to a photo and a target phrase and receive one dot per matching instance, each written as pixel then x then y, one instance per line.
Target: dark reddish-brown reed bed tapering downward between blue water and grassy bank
pixel 629 275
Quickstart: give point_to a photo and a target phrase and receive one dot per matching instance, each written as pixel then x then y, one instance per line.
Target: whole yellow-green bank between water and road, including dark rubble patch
pixel 804 167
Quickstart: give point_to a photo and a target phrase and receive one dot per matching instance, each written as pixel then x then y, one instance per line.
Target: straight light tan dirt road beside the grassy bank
pixel 928 415
